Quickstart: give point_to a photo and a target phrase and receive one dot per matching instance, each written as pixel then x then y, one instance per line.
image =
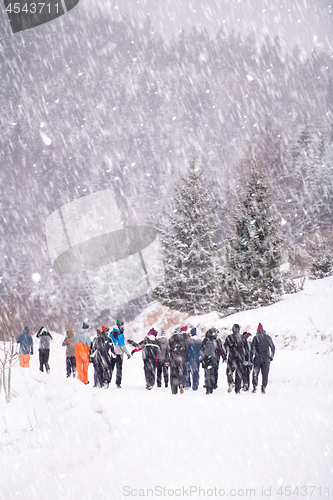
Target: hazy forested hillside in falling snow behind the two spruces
pixel 123 109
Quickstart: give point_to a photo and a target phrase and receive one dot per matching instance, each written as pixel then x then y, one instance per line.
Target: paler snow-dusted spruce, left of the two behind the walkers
pixel 188 248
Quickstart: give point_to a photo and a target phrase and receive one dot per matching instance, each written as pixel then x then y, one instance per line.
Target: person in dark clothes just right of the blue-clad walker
pixel 211 351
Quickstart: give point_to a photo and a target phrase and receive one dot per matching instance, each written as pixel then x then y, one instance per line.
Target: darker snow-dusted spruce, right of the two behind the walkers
pixel 253 255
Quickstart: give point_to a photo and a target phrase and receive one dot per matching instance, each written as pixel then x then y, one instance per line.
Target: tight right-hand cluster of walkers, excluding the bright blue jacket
pixel 184 352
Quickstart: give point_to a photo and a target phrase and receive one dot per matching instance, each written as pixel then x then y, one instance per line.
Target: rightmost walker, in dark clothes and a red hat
pixel 262 353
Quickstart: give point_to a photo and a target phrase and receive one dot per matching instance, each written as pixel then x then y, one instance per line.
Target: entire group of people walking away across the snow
pixel 183 353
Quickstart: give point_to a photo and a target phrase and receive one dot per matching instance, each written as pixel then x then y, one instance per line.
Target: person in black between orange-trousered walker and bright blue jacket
pixel 101 353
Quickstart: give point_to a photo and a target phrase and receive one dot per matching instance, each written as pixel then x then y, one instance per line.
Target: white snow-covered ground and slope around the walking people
pixel 61 440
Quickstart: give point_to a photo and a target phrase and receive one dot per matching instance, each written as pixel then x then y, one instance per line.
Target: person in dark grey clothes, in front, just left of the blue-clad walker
pixel 176 358
